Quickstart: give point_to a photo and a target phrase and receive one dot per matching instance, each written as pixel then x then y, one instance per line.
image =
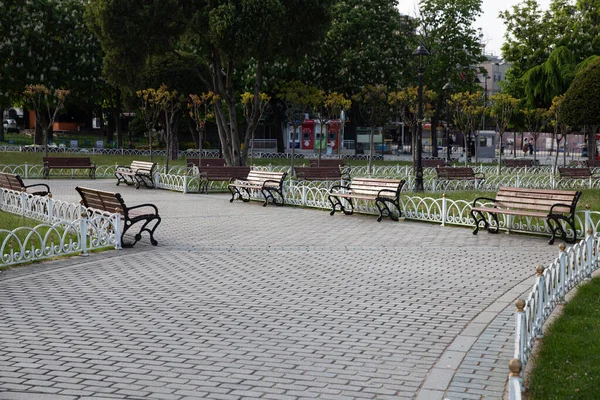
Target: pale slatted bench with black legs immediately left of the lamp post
pixel 384 192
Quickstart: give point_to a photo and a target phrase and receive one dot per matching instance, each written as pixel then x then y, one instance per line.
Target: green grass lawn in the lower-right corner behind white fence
pixel 567 365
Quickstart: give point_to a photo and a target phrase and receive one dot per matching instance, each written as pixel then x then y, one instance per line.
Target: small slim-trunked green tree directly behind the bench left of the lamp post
pixel 373 103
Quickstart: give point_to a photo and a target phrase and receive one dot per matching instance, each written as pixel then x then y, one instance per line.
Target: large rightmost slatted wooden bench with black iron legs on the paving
pixel 552 205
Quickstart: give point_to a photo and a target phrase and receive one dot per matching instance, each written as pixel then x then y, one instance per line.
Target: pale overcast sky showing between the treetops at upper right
pixel 492 26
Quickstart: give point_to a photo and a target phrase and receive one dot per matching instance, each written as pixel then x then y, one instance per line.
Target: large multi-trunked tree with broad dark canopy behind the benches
pixel 228 36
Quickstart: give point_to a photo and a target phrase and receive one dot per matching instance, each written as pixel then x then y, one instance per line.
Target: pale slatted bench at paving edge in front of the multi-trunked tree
pixel 269 183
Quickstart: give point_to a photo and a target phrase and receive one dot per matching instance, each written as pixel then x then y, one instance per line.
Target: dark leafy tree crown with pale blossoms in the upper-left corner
pixel 47 43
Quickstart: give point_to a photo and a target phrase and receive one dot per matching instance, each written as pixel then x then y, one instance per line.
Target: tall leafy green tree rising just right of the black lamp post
pixel 446 30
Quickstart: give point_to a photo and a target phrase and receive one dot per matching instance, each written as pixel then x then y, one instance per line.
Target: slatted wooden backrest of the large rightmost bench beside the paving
pixel 537 199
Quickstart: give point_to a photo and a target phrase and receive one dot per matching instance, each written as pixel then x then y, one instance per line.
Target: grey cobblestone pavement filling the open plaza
pixel 240 301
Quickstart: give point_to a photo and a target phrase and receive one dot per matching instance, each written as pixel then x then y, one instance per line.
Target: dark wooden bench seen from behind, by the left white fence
pixel 108 202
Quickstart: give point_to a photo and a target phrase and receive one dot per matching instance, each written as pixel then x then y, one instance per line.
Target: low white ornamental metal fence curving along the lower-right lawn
pixel 552 283
